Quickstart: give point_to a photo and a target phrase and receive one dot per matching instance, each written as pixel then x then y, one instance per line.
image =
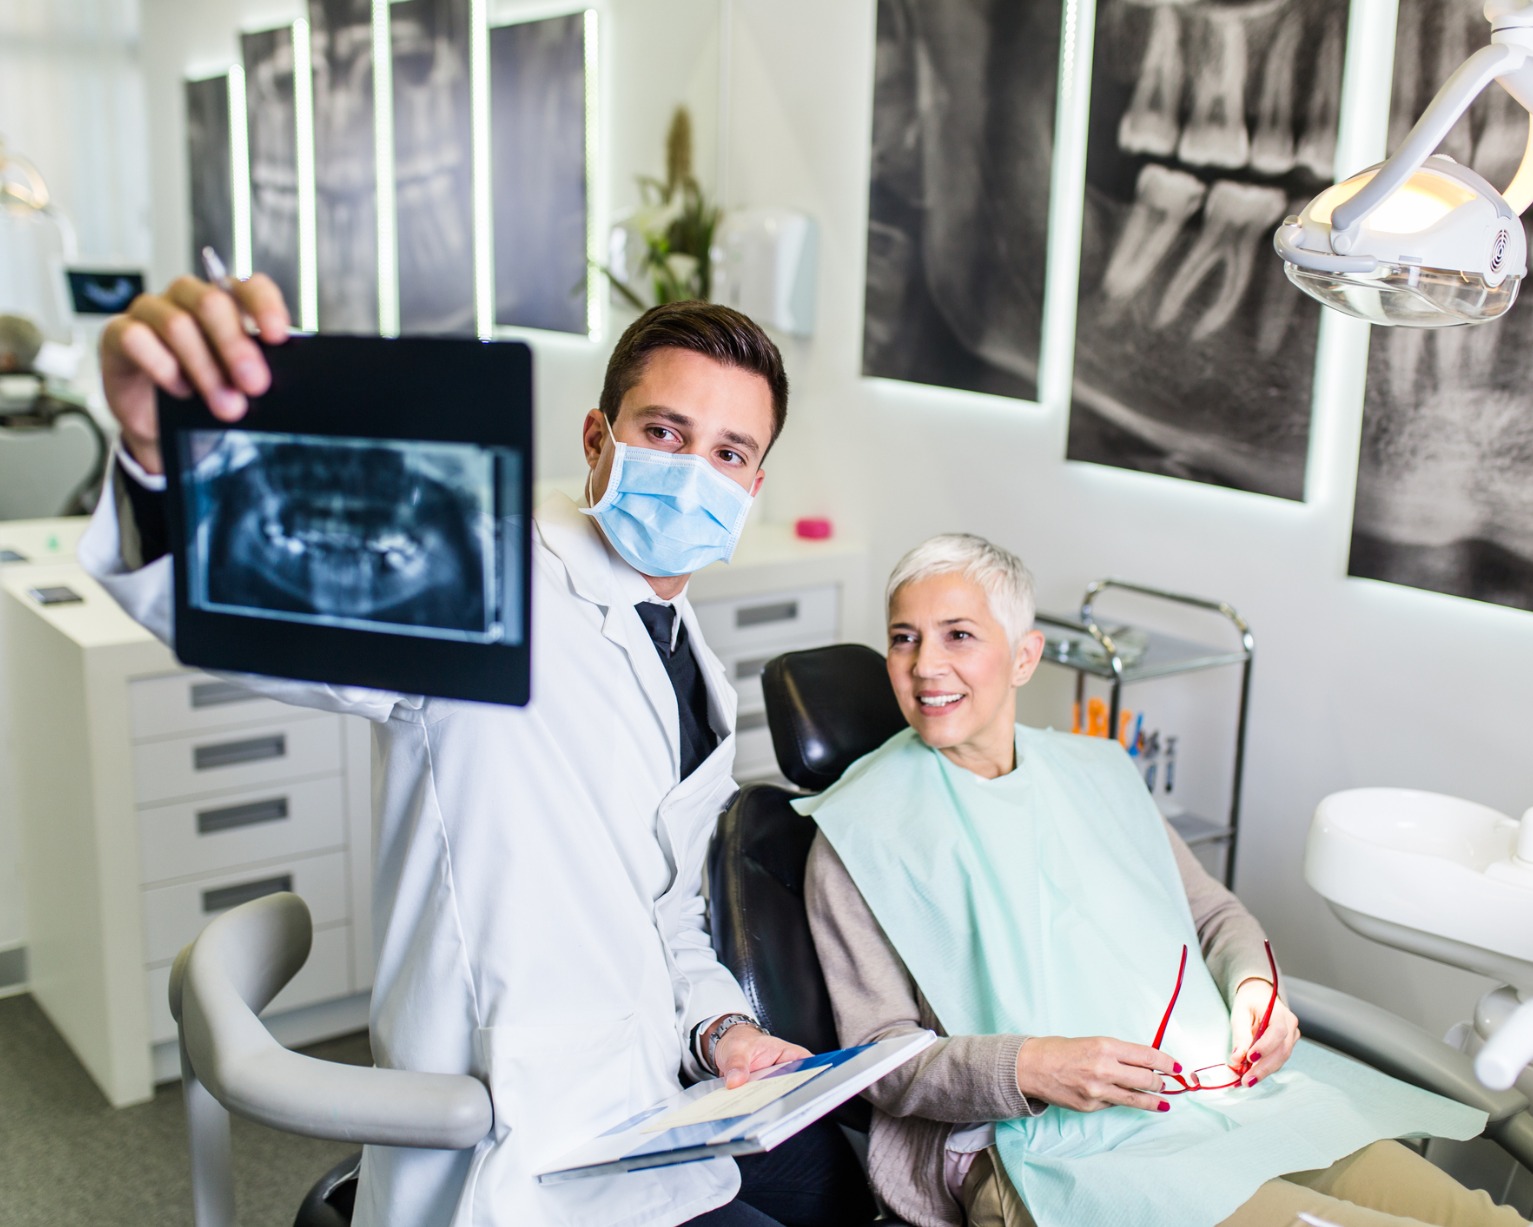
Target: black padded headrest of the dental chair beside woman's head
pixel 827 708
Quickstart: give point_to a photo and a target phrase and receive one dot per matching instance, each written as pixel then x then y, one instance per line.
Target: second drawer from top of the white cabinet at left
pixel 235 758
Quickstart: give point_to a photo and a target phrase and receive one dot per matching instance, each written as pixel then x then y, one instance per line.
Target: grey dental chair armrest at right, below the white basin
pixel 1394 1047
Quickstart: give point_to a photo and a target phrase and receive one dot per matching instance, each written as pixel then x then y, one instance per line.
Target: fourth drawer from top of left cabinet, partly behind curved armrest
pixel 176 915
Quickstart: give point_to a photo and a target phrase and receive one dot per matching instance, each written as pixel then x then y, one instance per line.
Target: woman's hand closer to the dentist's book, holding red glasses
pixel 1094 1073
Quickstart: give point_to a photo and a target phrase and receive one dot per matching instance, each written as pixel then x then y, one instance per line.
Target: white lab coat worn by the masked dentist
pixel 539 913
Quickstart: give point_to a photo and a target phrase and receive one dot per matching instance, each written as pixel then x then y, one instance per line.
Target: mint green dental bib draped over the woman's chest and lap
pixel 1048 903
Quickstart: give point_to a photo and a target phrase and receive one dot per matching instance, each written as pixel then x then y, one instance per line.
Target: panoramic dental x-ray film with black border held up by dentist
pixel 366 524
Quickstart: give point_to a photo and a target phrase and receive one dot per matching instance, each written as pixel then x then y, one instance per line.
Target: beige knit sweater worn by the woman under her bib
pixel 960 1079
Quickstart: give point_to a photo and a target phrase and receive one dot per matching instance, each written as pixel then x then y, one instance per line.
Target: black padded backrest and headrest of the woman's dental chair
pixel 826 708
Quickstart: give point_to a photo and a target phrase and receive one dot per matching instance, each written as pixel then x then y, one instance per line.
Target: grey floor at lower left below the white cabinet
pixel 70 1159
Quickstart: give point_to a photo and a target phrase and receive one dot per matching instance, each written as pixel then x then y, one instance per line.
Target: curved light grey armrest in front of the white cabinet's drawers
pixel 234 970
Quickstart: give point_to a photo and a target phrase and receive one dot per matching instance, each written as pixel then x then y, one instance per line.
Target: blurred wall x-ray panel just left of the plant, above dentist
pixel 539 169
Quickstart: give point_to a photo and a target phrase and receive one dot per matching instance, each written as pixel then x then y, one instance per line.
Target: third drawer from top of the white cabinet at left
pixel 235 829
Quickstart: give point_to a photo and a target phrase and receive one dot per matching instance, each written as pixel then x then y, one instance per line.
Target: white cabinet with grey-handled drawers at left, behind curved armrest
pixel 151 798
